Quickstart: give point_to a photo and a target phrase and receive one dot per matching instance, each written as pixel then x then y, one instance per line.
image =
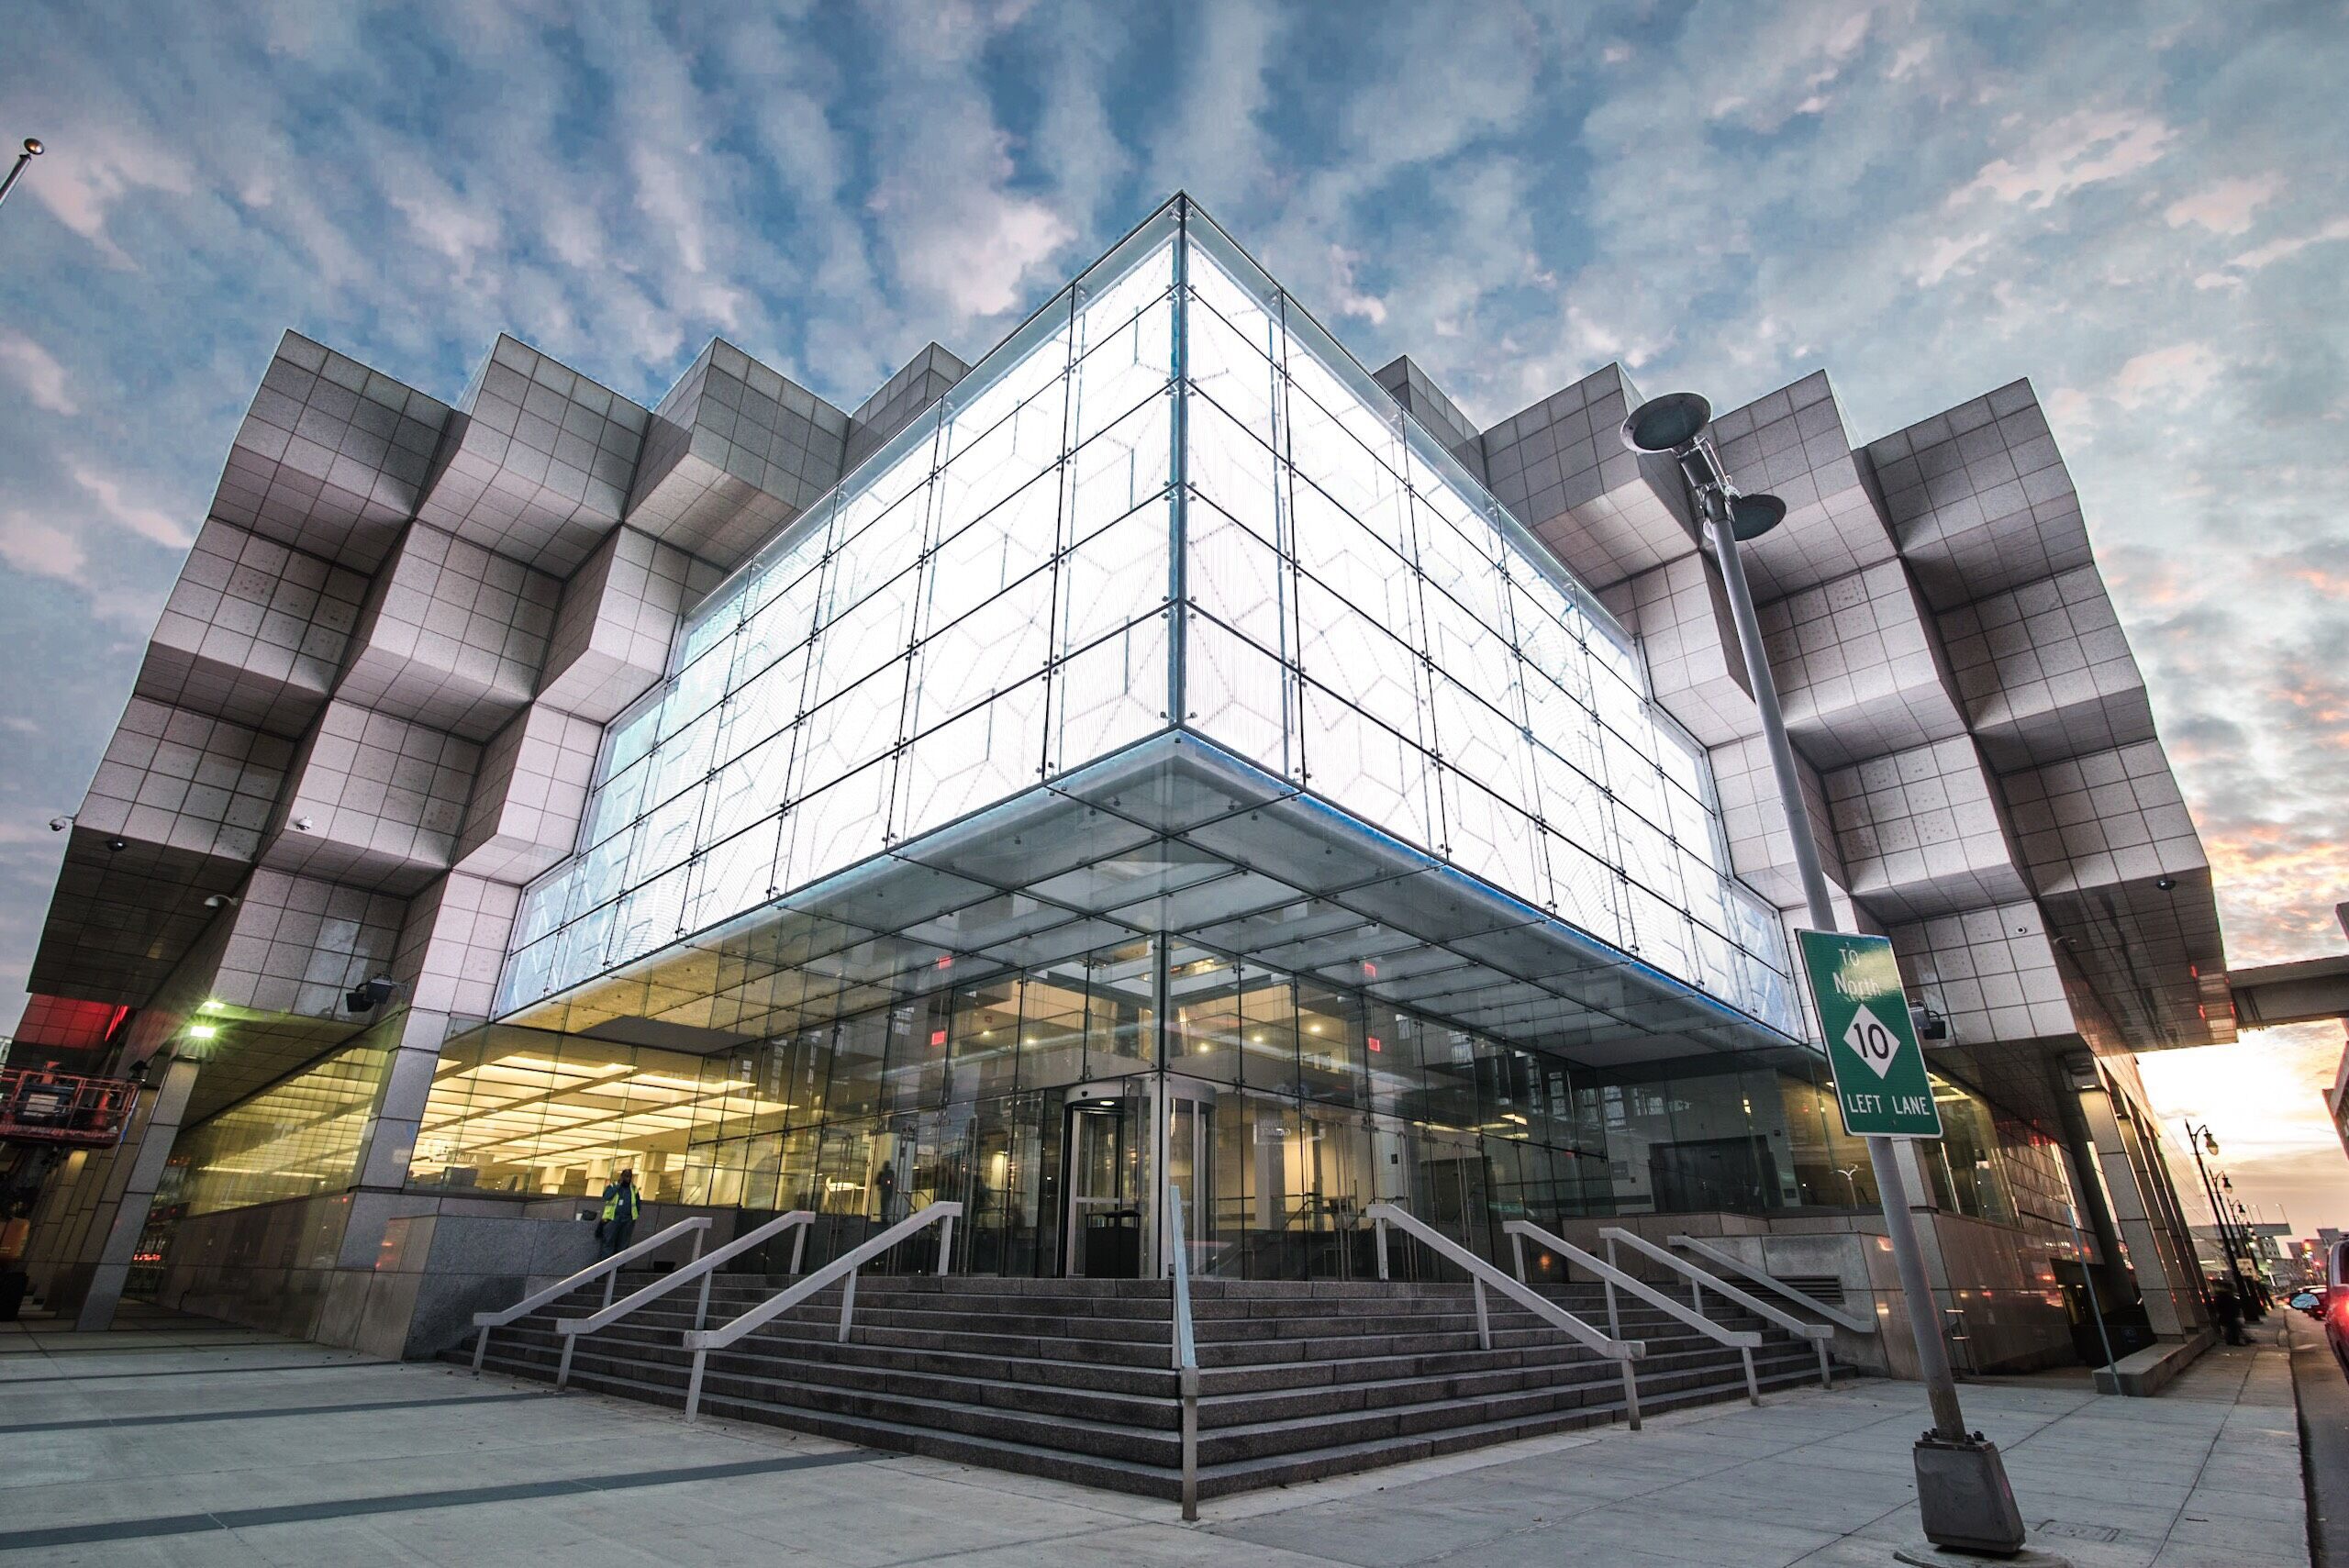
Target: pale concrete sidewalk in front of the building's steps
pixel 198 1445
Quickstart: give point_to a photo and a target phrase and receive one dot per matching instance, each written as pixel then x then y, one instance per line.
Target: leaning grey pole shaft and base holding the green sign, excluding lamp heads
pixel 1963 1487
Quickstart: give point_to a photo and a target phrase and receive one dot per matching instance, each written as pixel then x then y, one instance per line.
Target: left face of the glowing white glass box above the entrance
pixel 978 607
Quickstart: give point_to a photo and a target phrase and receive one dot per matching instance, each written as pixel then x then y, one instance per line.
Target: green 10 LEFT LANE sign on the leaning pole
pixel 1880 1079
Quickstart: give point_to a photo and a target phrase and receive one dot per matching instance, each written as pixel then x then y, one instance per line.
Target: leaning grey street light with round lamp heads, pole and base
pixel 1963 1487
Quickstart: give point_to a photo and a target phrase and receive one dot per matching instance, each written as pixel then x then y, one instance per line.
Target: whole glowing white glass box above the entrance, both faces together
pixel 999 597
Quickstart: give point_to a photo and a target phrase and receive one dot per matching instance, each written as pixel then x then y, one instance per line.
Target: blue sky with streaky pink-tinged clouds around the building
pixel 2134 205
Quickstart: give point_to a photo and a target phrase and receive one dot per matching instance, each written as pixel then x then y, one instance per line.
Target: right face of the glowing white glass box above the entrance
pixel 1371 623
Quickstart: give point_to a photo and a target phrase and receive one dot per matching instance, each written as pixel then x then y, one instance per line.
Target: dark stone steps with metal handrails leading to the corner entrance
pixel 1072 1377
